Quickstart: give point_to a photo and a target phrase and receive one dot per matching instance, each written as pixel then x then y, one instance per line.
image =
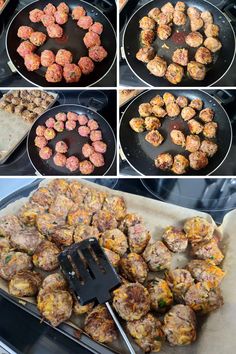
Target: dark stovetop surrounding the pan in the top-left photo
pixel 10 79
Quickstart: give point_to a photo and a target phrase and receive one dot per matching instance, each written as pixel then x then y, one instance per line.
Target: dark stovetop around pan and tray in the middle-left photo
pixel 103 101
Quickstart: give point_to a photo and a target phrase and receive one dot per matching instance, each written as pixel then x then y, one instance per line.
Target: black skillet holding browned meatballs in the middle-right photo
pixel 140 154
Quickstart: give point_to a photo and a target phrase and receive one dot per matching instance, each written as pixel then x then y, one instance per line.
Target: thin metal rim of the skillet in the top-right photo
pixel 149 85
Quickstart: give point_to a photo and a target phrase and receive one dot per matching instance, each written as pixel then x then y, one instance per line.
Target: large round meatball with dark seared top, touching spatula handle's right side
pixel 131 301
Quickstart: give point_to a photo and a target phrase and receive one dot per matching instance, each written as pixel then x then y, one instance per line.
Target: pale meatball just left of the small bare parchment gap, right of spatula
pixel 157 256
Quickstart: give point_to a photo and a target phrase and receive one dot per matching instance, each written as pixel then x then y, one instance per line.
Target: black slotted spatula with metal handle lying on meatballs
pixel 91 276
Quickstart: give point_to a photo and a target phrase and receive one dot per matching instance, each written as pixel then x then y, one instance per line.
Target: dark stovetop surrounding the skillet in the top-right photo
pixel 128 78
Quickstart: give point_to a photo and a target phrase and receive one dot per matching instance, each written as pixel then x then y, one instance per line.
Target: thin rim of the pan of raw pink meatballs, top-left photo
pixel 61 87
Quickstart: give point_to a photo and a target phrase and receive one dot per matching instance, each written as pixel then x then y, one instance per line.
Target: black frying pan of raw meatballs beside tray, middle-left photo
pixel 73 140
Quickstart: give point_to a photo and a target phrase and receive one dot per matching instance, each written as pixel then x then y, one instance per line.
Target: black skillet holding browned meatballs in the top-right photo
pixel 222 59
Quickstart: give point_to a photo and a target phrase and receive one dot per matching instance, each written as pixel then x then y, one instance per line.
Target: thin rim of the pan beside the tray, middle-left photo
pixel 80 175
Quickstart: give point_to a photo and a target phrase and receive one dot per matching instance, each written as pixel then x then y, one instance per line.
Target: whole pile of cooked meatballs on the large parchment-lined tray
pixel 53 214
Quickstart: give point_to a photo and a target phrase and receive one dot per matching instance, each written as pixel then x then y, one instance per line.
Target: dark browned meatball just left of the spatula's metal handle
pixel 100 326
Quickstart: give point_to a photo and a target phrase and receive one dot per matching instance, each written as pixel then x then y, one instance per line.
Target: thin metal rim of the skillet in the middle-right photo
pixel 186 175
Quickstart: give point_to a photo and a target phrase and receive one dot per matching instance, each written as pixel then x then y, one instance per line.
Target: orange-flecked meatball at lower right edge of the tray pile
pixel 200 298
